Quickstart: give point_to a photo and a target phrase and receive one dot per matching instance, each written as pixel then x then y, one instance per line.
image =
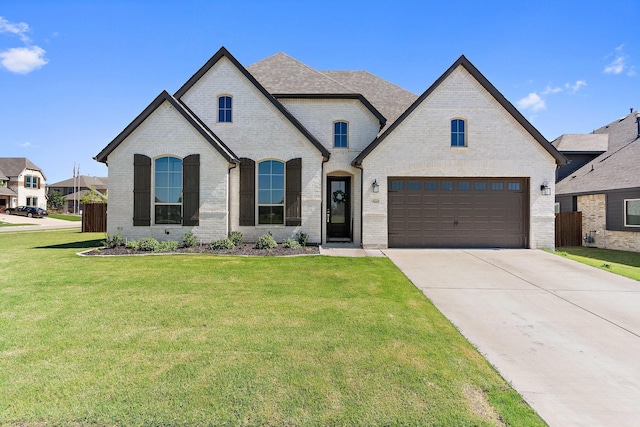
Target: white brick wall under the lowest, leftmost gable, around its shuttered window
pixel 166 132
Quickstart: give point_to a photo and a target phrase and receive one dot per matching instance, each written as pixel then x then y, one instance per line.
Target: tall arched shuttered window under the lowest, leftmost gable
pixel 168 190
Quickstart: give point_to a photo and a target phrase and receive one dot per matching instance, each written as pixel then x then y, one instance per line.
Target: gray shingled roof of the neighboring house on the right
pixel 615 169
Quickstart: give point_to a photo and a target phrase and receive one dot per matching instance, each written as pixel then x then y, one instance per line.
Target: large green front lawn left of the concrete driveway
pixel 212 340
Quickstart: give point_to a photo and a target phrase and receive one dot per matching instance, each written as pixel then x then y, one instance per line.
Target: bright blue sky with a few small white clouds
pixel 74 74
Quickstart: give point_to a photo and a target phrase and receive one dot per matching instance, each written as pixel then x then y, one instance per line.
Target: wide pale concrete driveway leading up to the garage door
pixel 565 335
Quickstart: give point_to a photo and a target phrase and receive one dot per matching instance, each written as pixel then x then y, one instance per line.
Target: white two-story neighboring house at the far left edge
pixel 21 183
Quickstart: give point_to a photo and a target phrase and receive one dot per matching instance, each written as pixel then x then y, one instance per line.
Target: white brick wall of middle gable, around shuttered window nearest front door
pixel 260 132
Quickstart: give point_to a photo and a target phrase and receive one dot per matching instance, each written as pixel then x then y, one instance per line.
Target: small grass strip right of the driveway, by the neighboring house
pixel 619 262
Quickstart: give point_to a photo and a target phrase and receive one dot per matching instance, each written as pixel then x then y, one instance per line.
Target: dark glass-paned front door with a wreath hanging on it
pixel 338 208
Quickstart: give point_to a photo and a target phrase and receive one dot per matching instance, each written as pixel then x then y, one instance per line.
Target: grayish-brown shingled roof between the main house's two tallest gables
pixel 284 76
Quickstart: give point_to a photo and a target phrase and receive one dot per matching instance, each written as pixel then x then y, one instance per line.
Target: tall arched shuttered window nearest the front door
pixel 271 192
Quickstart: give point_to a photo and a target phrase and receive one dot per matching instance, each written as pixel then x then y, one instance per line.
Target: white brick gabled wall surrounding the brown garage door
pixel 497 146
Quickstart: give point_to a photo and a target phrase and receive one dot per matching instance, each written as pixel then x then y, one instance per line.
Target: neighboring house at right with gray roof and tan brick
pixel 607 189
